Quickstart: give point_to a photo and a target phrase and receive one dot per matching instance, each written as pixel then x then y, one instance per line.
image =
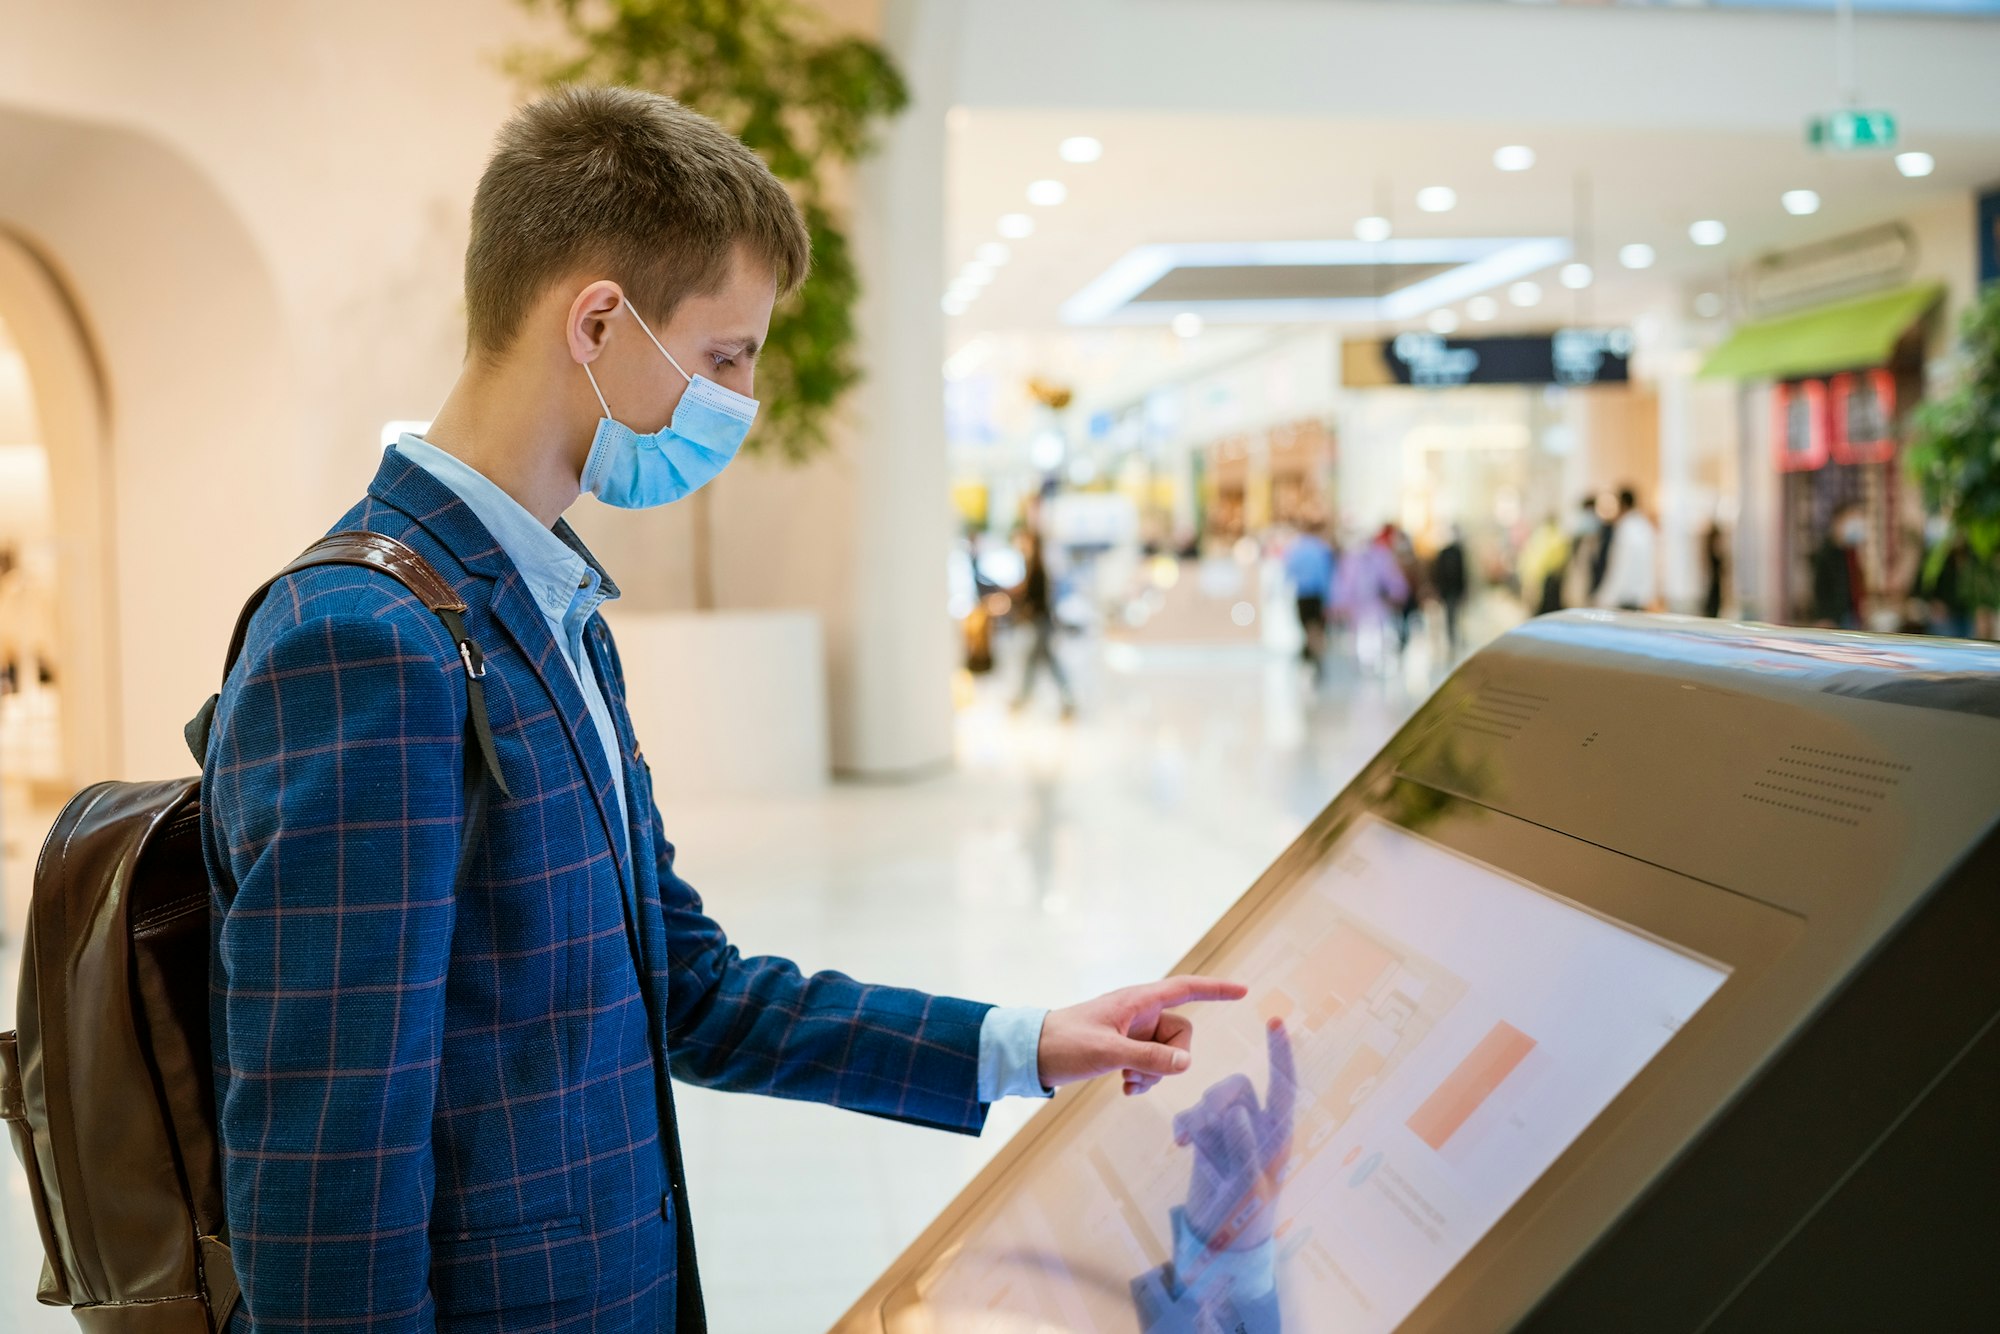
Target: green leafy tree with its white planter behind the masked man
pixel 807 99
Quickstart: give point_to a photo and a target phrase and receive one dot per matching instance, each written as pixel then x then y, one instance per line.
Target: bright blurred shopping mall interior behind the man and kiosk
pixel 1231 375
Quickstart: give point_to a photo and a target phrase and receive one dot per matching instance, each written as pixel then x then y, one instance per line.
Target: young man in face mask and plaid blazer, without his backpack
pixel 443 1091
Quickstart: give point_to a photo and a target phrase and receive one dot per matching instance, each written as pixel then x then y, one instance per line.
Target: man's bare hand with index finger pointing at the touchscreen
pixel 1129 1031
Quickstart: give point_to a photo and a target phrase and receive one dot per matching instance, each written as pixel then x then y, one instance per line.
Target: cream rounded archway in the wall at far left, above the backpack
pixel 159 355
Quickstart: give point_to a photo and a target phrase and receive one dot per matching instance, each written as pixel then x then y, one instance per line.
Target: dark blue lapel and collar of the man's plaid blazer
pixel 449 519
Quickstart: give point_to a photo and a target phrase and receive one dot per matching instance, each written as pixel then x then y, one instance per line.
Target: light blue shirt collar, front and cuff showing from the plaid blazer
pixel 569 591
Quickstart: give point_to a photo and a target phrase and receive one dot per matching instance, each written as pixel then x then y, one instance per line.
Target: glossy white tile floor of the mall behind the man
pixel 1057 861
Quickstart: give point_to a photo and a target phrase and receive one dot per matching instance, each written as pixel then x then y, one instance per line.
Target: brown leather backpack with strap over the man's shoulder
pixel 107 1085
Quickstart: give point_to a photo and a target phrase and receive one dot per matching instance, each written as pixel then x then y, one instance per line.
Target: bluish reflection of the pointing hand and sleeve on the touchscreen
pixel 1225 1273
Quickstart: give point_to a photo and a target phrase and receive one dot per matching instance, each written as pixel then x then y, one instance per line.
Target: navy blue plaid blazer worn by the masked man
pixel 445 1107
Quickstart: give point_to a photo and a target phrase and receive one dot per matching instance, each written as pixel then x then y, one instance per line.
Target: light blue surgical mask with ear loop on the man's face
pixel 639 471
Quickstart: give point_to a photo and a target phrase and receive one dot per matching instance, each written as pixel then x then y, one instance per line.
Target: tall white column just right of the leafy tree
pixel 893 713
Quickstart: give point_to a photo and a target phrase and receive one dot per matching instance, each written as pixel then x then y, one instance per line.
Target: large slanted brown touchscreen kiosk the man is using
pixel 1647 981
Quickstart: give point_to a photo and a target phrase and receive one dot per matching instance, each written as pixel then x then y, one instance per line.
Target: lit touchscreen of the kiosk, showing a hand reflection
pixel 1421 1043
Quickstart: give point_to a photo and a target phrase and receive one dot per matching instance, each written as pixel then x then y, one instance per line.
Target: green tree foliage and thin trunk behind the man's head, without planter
pixel 803 97
